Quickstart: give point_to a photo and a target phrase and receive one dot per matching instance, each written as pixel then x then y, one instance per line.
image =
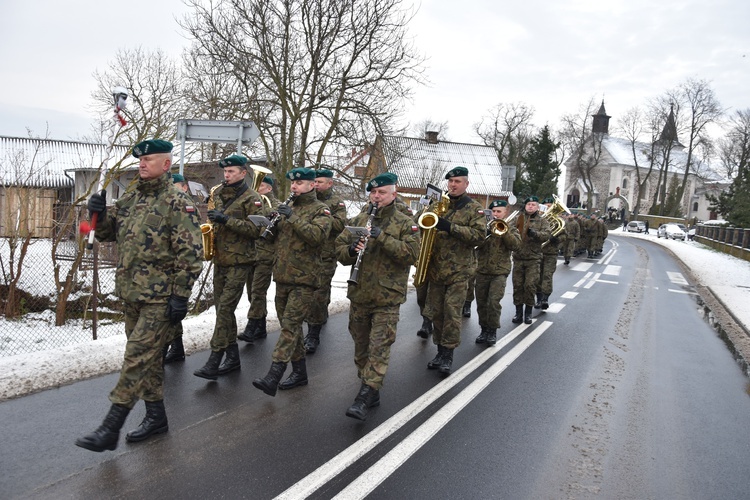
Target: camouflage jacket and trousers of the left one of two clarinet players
pixel 299 241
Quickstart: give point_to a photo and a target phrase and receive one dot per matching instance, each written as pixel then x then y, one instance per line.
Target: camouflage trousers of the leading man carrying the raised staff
pixel 142 374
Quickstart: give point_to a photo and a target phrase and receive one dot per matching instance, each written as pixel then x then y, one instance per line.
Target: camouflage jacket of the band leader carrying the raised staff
pixel 159 245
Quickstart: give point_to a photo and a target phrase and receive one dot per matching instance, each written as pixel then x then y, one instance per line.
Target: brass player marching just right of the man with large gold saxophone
pixel 493 268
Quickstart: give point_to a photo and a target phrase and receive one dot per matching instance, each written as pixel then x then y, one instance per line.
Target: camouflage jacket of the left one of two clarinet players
pixel 299 241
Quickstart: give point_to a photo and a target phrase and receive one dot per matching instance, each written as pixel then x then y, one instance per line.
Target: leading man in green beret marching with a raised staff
pixel 159 252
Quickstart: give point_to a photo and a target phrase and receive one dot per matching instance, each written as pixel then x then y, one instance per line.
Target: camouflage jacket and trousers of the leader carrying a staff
pixel 159 253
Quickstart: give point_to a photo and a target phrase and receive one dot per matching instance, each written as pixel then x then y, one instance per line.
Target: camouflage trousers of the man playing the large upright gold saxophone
pixel 445 303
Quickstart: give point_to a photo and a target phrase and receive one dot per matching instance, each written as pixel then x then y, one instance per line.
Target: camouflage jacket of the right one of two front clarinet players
pixel 384 270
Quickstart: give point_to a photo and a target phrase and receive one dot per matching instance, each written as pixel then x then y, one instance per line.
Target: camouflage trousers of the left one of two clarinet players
pixel 292 305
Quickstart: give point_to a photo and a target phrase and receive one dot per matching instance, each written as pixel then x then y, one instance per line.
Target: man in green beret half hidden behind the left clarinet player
pixel 318 315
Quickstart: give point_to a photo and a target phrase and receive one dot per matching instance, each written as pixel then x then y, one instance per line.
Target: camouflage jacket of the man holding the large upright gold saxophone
pixel 453 258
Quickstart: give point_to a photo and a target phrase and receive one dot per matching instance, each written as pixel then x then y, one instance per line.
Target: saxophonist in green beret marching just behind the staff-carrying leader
pixel 234 257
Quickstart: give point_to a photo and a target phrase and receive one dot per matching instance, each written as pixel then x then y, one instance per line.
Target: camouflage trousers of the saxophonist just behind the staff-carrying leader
pixel 229 284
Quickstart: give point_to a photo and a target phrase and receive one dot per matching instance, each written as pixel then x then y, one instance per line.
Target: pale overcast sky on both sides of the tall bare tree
pixel 552 55
